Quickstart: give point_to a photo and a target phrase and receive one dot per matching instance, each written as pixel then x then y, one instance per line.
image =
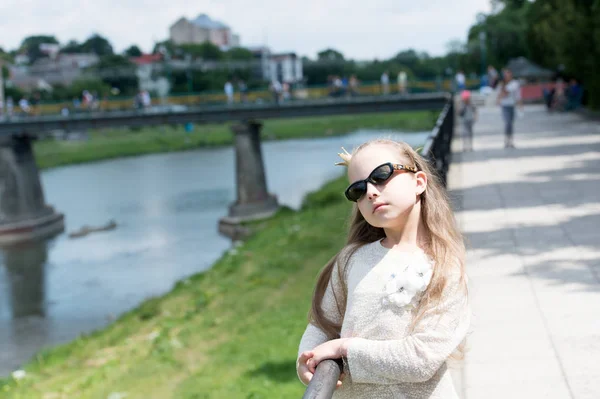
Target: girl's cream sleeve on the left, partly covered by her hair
pixel 313 336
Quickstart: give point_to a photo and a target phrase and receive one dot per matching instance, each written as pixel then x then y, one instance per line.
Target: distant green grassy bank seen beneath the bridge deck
pixel 116 143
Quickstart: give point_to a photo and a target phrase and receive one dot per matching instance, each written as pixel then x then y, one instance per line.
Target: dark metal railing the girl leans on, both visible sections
pixel 437 151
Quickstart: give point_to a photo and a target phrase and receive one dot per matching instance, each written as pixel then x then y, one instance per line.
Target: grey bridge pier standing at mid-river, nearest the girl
pixel 253 200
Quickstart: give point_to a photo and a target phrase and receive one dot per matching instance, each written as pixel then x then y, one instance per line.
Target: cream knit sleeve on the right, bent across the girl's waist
pixel 417 357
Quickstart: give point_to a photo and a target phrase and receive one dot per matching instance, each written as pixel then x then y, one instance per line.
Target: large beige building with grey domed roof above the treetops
pixel 203 29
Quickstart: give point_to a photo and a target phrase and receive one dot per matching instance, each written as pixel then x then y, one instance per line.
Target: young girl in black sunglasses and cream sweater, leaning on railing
pixel 392 304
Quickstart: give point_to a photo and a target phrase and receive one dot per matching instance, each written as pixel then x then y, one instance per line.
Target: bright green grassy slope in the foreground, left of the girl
pixel 231 332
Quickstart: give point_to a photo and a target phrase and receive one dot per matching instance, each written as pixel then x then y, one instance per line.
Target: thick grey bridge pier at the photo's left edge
pixel 24 215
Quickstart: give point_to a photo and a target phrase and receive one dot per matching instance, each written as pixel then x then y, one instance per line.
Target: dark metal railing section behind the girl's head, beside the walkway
pixel 437 145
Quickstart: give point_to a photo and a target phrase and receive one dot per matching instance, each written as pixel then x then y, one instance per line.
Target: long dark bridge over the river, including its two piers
pixel 25 215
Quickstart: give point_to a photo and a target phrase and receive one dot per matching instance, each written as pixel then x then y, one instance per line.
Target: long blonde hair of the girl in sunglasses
pixel 445 245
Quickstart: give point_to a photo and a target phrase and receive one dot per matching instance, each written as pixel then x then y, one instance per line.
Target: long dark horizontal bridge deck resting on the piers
pixel 34 125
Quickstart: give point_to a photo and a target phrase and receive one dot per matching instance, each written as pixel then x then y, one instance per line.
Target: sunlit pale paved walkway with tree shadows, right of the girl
pixel 531 216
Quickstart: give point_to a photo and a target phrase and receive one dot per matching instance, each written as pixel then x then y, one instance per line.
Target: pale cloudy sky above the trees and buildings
pixel 359 29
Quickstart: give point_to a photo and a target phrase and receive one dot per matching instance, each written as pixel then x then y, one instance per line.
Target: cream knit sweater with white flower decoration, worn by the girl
pixel 388 360
